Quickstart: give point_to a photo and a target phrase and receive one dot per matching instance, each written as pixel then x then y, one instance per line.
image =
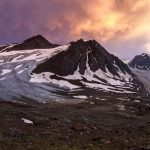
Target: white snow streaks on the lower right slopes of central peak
pixel 107 76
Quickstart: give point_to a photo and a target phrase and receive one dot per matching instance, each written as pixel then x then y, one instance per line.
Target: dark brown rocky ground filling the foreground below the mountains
pixel 116 123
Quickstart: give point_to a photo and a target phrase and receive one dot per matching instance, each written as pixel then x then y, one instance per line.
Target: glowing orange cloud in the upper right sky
pixel 111 19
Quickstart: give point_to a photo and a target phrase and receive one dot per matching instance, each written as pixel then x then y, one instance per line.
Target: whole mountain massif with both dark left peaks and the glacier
pixel 81 69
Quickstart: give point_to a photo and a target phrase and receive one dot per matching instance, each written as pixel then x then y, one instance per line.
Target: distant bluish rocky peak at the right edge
pixel 141 62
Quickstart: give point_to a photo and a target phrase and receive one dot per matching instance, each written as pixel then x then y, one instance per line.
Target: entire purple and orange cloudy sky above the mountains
pixel 121 26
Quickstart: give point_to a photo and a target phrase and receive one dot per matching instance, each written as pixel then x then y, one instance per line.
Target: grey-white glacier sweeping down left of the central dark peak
pixel 15 72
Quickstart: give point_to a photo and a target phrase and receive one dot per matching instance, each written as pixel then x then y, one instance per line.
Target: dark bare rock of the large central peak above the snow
pixel 79 54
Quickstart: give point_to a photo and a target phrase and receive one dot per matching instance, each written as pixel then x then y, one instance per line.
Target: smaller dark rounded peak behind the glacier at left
pixel 35 42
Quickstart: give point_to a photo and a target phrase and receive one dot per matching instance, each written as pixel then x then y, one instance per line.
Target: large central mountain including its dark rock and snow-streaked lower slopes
pixel 87 64
